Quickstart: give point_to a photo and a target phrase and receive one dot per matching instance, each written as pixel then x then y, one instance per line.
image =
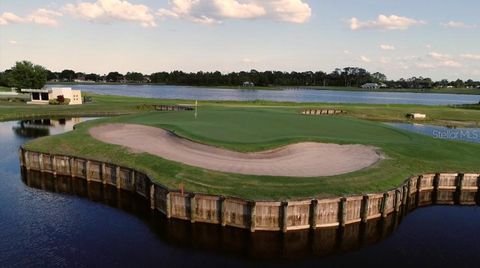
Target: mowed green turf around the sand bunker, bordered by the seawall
pixel 254 129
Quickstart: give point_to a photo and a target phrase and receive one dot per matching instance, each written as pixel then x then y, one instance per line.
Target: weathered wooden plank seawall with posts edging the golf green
pixel 262 215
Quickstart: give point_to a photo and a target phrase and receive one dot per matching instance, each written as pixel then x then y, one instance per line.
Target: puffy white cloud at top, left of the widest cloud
pixel 112 10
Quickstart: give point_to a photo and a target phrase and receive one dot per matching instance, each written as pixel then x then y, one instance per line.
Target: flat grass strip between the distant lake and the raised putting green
pixel 105 105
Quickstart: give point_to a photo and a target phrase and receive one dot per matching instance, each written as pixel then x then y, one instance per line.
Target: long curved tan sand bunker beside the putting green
pixel 306 159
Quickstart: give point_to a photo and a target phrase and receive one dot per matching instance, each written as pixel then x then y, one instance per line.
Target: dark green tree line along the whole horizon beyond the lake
pixel 28 75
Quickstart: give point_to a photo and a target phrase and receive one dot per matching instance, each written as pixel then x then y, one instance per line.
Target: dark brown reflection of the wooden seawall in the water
pixel 239 242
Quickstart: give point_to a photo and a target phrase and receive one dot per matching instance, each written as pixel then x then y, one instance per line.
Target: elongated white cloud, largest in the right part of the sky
pixel 383 22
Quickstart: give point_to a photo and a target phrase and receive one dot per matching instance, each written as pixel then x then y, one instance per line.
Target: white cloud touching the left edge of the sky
pixel 40 16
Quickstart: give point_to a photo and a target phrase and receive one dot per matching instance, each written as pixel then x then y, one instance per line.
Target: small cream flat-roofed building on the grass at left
pixel 43 96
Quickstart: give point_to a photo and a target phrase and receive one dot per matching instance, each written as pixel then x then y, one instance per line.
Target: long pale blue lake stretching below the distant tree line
pixel 296 95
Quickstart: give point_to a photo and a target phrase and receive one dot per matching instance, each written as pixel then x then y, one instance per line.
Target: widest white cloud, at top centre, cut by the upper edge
pixel 215 11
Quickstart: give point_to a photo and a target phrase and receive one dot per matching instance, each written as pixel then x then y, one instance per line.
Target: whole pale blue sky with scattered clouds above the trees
pixel 400 38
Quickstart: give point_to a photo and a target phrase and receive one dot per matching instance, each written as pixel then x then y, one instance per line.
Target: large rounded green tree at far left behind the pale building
pixel 27 75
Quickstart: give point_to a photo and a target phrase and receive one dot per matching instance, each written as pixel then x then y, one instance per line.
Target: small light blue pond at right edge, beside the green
pixel 439 132
